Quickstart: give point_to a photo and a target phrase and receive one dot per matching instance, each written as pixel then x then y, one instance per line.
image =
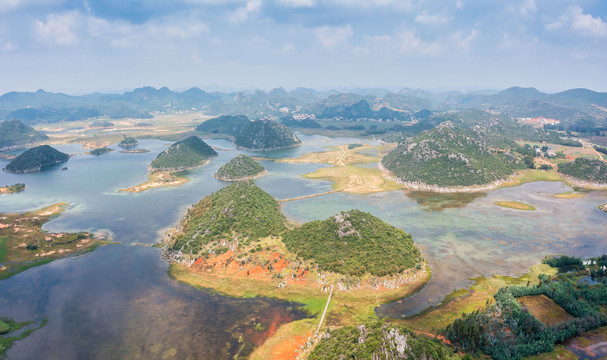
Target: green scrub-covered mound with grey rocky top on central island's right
pixel 354 243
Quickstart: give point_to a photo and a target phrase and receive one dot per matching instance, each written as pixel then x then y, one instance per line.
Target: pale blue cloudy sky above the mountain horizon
pixel 81 46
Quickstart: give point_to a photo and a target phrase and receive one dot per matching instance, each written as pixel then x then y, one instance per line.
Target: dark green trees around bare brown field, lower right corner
pixel 505 330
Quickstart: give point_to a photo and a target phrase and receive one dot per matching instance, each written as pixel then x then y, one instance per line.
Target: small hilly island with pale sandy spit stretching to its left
pixel 169 167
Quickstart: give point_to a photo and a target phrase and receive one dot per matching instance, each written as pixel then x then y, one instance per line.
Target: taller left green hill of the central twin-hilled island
pixel 241 211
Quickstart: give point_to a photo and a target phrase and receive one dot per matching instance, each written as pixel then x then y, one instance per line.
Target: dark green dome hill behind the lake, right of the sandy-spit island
pixel 266 135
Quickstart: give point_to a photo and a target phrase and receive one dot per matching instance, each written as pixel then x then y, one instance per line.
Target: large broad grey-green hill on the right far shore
pixel 449 155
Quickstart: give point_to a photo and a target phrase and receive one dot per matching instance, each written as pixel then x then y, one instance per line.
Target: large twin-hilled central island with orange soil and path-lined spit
pixel 236 241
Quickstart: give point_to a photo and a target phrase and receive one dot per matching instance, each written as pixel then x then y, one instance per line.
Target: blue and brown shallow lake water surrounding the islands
pixel 118 302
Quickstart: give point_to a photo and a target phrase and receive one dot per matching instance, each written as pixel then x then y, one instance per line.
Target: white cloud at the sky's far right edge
pixel 580 23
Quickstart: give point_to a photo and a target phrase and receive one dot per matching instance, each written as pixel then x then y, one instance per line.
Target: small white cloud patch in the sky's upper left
pixel 60 28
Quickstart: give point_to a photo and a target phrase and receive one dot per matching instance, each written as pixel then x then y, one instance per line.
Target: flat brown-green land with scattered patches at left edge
pixel 24 244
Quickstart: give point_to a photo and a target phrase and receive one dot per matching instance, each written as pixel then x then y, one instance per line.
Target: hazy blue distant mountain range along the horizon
pixel 568 106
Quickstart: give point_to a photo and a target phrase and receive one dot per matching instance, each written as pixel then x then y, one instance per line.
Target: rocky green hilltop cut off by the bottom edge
pixel 379 341
